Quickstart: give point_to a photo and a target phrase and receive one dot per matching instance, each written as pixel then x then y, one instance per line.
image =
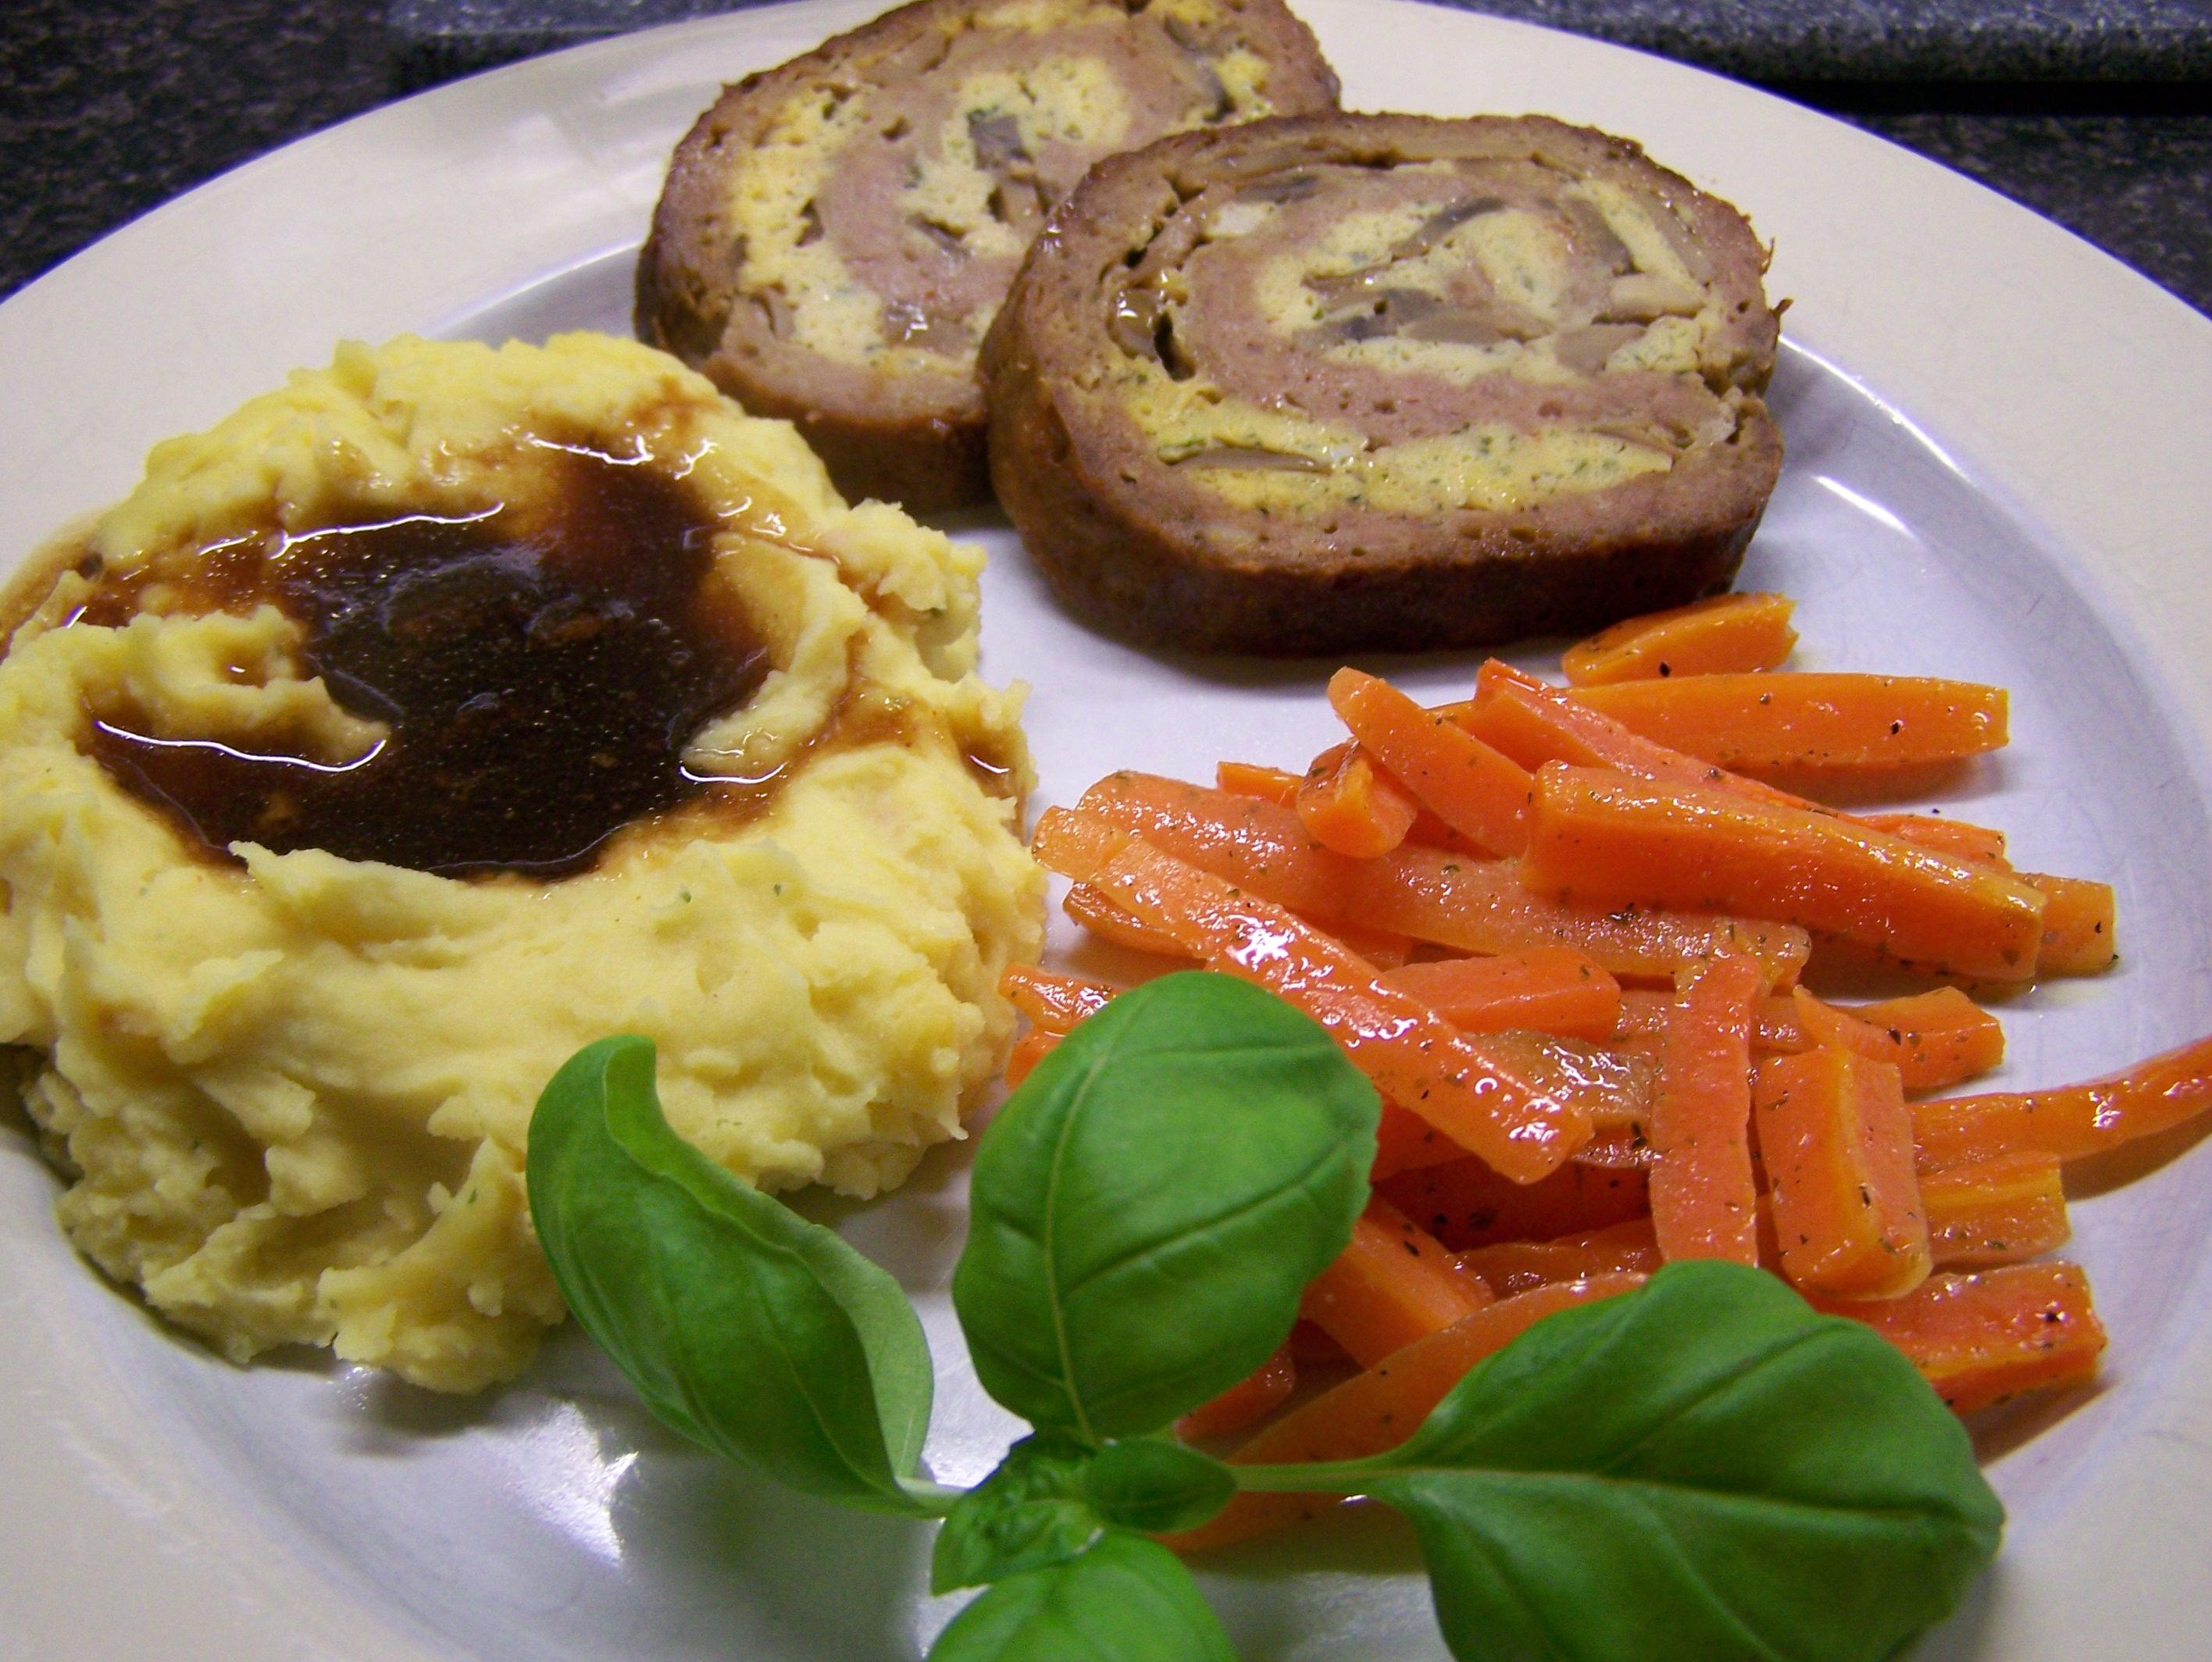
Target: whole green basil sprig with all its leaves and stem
pixel 1702 1471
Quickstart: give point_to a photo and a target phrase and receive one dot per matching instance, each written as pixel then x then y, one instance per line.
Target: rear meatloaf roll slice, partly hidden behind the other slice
pixel 837 236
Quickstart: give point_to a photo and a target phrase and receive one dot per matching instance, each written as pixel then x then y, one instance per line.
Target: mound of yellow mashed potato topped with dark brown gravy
pixel 291 977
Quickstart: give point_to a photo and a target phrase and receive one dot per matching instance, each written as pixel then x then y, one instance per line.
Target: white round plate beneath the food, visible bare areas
pixel 1996 470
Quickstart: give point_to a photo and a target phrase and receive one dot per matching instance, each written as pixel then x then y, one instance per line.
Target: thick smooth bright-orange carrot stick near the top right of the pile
pixel 1605 838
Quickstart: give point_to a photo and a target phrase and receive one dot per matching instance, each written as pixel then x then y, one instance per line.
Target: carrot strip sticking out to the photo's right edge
pixel 2072 1121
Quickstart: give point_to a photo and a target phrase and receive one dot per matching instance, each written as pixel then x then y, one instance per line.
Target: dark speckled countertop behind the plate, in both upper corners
pixel 2091 112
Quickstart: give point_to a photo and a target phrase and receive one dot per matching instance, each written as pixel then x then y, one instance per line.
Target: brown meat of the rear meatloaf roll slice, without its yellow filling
pixel 917 433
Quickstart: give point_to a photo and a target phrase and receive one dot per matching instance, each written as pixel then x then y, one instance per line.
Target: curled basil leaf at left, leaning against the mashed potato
pixel 740 1325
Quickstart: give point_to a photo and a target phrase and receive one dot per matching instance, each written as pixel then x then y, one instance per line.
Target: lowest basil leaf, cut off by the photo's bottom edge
pixel 1127 1599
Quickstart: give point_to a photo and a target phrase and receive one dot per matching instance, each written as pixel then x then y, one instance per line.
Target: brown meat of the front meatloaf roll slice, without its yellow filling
pixel 1138 546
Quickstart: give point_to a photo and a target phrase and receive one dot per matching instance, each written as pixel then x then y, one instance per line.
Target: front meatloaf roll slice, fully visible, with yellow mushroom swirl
pixel 1384 382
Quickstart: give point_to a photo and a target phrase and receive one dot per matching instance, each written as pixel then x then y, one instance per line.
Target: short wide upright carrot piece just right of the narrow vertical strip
pixel 1839 1156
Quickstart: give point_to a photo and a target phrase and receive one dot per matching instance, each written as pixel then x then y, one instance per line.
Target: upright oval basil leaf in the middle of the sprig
pixel 1149 1207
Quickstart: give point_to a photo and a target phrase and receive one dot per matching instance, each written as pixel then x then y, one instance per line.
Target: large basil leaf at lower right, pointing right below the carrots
pixel 1693 1473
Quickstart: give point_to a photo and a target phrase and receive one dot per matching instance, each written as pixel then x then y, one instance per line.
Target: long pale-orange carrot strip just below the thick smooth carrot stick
pixel 1426 893
